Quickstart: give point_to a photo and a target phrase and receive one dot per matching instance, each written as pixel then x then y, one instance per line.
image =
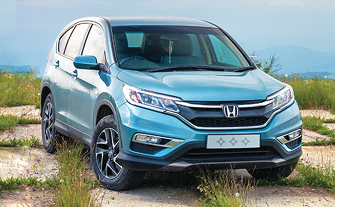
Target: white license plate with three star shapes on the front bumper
pixel 233 141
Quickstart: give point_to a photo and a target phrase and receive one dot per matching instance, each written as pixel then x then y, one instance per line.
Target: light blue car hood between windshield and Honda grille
pixel 205 85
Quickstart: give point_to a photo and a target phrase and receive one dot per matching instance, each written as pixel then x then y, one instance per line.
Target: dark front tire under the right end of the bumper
pixel 273 173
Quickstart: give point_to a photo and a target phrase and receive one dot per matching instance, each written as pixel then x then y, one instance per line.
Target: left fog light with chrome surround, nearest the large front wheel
pixel 156 140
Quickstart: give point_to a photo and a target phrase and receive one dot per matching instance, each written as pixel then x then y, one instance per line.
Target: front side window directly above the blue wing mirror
pixel 95 44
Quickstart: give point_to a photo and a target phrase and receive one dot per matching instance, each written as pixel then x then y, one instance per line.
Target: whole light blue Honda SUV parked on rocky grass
pixel 165 94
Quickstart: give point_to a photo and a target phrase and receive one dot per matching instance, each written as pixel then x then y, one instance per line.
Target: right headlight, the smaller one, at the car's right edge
pixel 283 97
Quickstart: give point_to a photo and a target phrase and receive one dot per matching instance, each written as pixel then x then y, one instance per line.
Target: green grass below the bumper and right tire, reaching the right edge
pixel 223 189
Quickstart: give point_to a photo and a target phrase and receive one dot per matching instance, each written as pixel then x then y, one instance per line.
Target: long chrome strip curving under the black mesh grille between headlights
pixel 229 128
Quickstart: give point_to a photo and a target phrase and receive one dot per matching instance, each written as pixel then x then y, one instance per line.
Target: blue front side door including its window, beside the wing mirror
pixel 84 87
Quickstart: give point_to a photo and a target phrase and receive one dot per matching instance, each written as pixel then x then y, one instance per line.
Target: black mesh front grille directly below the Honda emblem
pixel 226 122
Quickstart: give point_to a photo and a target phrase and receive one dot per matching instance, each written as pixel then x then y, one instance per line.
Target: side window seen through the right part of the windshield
pixel 223 53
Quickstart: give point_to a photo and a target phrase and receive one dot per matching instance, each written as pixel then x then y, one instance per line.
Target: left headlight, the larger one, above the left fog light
pixel 150 100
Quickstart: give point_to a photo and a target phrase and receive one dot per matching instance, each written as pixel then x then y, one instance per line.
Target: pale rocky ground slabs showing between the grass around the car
pixel 36 162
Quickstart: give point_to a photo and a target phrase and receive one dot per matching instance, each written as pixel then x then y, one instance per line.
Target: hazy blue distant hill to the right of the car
pixel 296 59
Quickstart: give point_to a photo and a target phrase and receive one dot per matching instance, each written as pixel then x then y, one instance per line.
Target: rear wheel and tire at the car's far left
pixel 50 136
